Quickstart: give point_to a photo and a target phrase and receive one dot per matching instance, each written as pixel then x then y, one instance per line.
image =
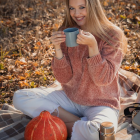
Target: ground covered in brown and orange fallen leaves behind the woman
pixel 25 48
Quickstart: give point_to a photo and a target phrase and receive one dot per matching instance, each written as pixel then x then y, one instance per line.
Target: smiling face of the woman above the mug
pixel 78 12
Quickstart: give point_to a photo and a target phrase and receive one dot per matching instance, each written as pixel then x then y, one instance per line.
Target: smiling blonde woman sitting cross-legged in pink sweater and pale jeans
pixel 88 73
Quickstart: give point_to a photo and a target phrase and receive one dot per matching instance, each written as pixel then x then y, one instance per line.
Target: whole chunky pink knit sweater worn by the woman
pixel 90 81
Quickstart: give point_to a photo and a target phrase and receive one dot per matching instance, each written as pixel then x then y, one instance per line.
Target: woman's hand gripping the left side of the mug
pixel 57 38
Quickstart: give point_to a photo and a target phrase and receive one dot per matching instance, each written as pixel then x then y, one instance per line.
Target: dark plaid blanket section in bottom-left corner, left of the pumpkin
pixel 12 123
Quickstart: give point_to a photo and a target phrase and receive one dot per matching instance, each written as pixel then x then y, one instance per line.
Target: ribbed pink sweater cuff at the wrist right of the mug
pixel 94 60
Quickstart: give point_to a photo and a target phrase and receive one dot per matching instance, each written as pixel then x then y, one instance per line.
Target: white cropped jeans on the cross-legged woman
pixel 32 101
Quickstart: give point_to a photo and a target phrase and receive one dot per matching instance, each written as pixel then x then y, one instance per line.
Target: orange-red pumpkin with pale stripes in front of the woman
pixel 45 127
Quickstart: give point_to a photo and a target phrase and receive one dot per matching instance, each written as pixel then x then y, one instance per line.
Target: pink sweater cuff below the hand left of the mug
pixel 60 63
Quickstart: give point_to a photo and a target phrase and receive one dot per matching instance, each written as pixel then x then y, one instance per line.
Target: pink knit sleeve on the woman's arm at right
pixel 104 66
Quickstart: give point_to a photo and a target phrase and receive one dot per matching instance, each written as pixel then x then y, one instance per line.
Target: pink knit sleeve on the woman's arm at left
pixel 62 68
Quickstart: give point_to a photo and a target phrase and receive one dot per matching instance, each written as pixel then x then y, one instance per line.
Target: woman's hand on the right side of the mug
pixel 86 38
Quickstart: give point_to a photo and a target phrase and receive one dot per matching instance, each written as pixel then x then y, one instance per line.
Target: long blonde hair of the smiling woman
pixel 98 24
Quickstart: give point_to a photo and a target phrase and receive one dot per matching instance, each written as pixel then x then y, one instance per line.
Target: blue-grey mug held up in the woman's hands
pixel 71 36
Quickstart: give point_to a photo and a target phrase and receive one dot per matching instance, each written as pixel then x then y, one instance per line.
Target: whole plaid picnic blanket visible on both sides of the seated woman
pixel 13 122
